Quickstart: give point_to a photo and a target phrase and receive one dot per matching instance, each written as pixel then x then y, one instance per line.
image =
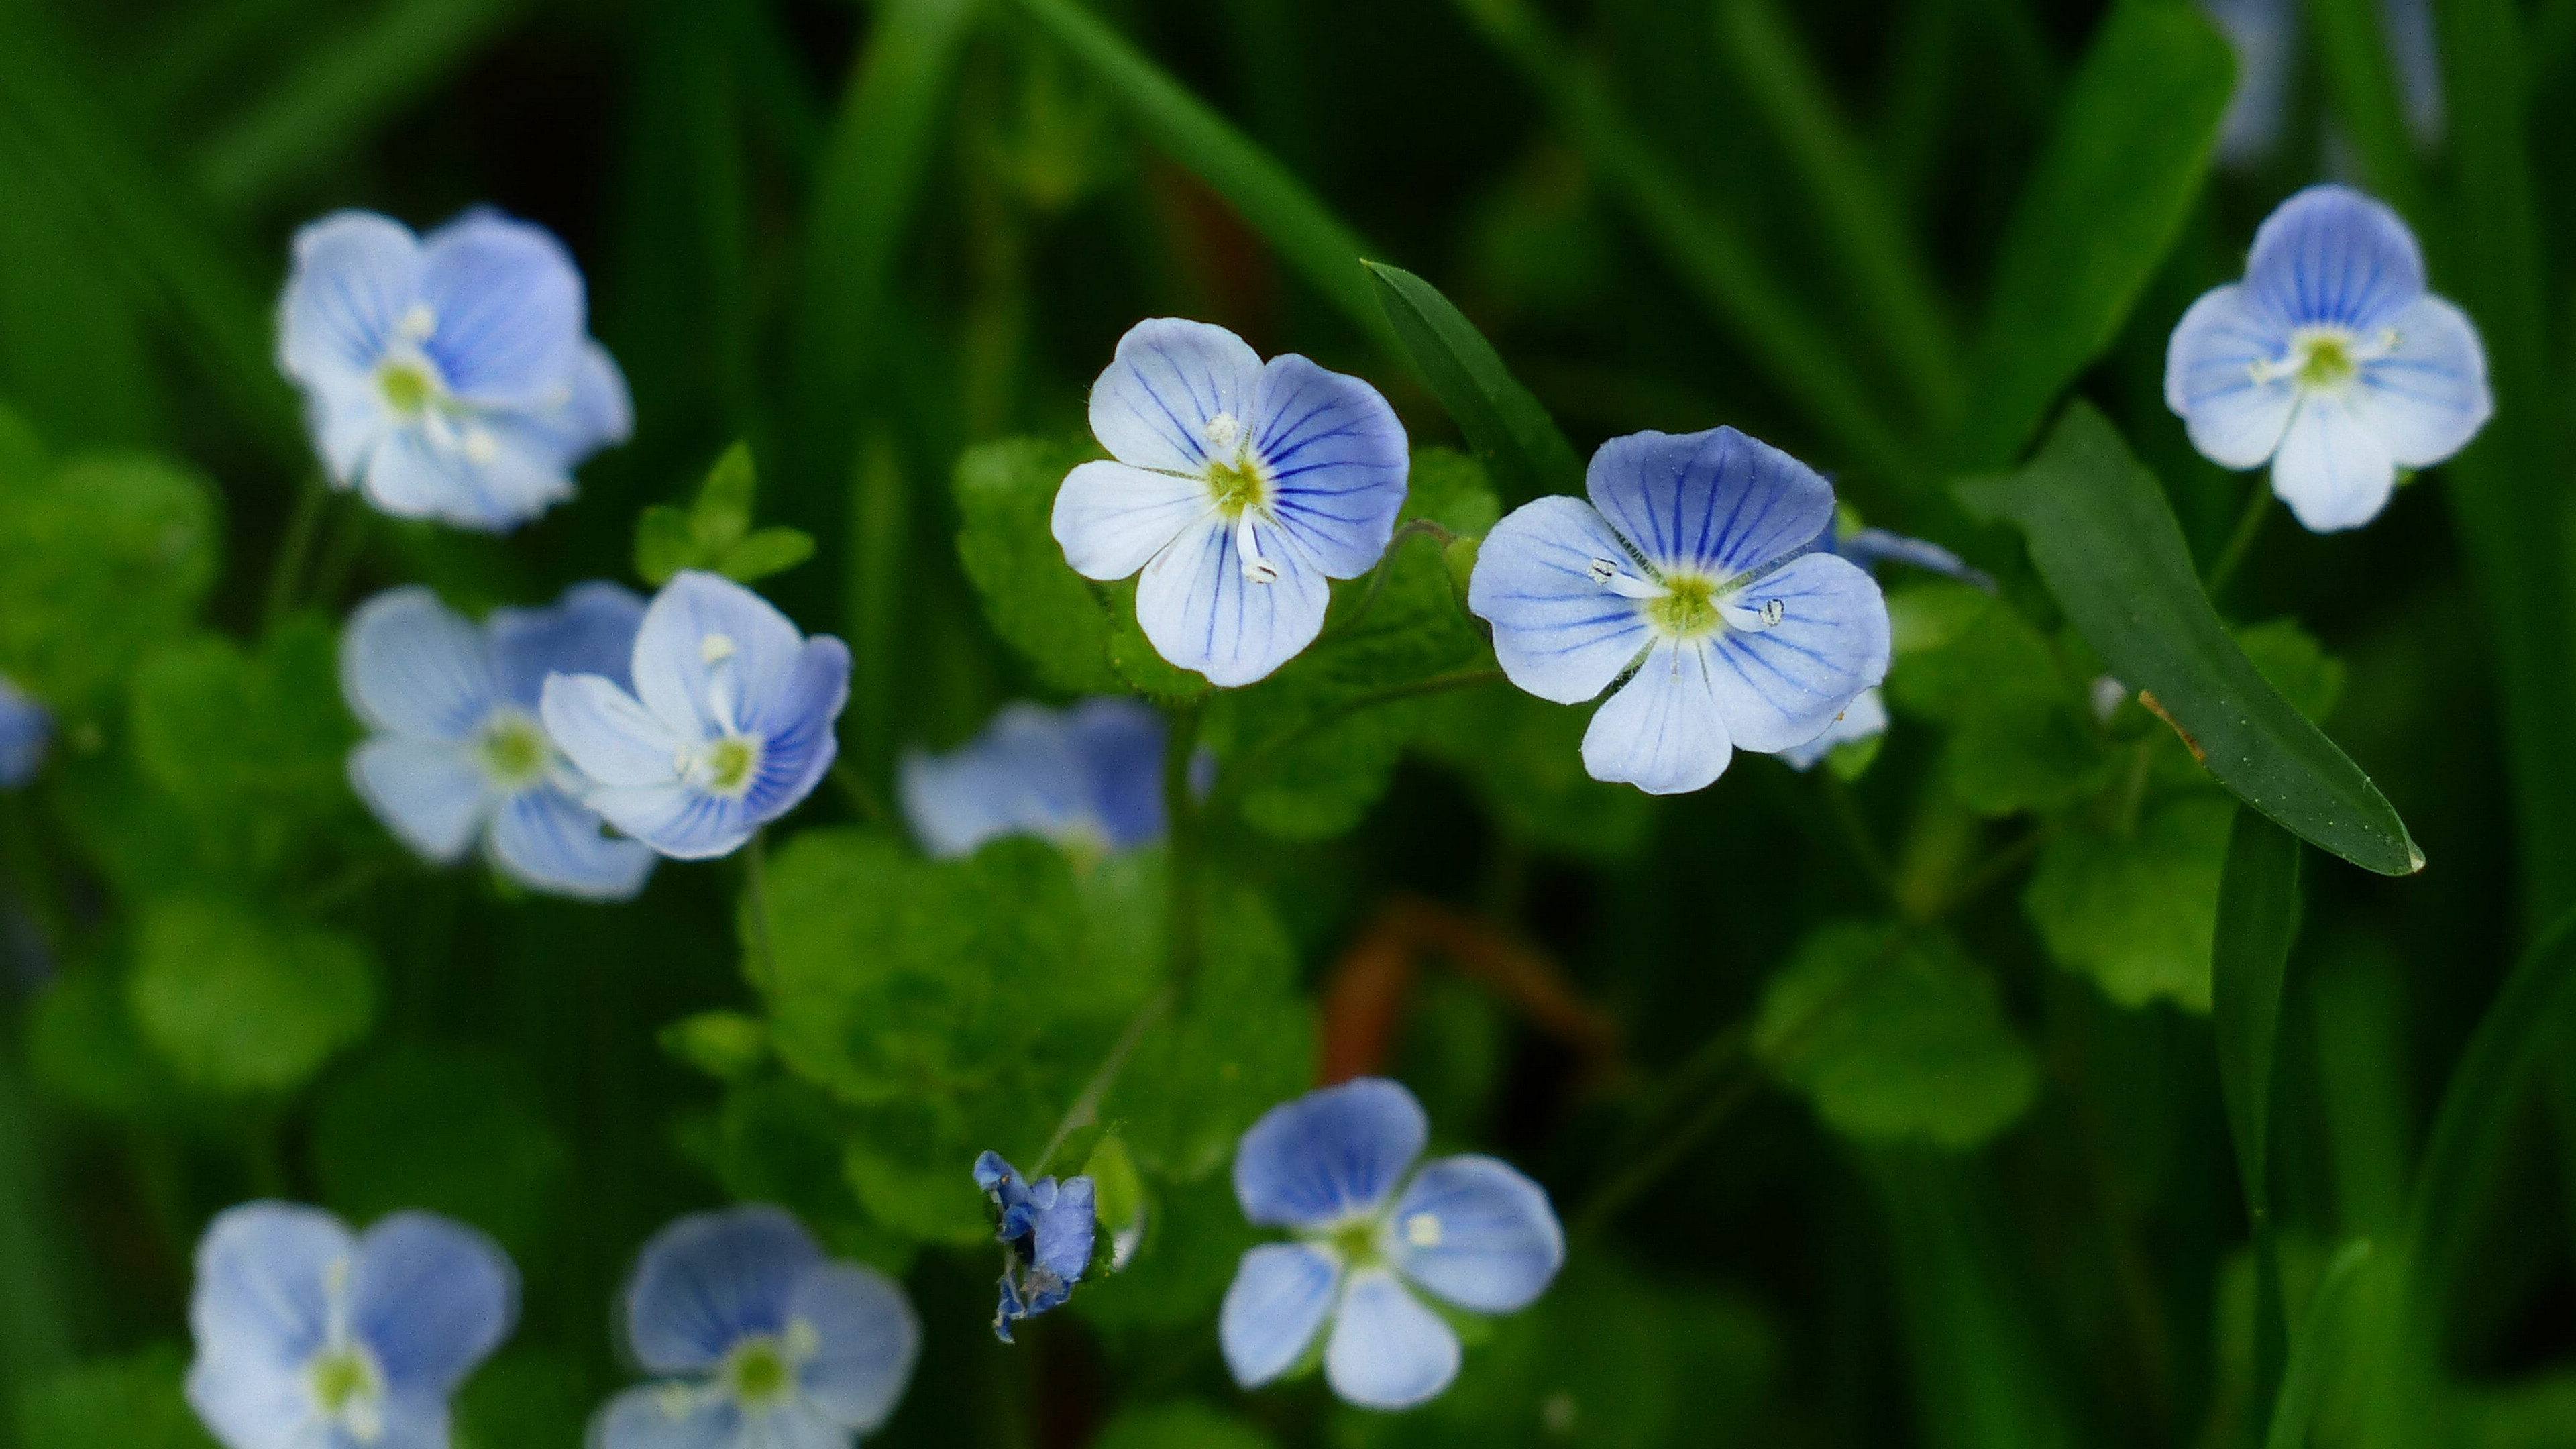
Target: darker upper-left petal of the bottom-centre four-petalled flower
pixel 1331 1154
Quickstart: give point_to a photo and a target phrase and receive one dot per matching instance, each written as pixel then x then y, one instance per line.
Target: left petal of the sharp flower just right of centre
pixel 1557 630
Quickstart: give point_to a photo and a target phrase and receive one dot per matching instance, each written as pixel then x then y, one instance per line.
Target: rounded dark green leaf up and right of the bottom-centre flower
pixel 1895 1038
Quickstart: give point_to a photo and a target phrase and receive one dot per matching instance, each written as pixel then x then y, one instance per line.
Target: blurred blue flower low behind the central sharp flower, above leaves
pixel 1086 777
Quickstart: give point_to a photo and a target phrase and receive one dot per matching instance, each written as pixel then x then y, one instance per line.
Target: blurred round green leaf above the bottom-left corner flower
pixel 241 1004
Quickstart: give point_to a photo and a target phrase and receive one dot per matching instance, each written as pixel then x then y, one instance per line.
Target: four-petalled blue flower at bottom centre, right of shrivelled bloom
pixel 1333 1167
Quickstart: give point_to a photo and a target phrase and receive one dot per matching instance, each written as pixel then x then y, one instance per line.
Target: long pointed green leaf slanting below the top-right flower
pixel 2106 540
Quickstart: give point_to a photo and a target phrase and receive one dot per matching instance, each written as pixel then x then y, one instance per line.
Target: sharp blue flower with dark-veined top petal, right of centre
pixel 1694 587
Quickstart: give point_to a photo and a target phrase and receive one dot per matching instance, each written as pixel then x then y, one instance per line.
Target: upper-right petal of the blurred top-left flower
pixel 506 316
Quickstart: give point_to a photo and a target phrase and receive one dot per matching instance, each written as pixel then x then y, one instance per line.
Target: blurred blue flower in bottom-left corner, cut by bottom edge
pixel 318 1339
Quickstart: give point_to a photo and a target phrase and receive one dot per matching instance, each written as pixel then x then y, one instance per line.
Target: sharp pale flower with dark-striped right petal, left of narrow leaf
pixel 1238 486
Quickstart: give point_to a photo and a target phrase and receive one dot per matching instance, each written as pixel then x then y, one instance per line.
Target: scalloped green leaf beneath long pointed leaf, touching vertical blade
pixel 2137 911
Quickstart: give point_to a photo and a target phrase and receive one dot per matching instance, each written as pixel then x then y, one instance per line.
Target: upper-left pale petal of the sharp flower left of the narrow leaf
pixel 1166 385
